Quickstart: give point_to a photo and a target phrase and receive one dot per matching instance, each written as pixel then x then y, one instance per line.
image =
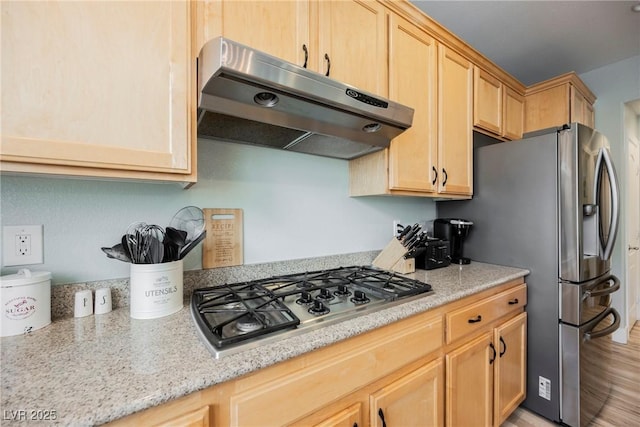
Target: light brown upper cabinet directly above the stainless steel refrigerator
pixel 558 101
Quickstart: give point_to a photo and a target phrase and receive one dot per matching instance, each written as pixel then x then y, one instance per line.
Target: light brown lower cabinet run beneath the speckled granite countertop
pixel 429 369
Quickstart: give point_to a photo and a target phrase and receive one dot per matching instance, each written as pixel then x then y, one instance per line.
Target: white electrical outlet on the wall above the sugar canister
pixel 22 245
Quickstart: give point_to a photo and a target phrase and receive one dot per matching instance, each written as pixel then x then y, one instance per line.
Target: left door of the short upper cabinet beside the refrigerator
pixel 487 101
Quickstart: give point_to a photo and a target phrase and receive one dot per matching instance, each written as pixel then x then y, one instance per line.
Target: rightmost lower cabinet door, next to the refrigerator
pixel 510 340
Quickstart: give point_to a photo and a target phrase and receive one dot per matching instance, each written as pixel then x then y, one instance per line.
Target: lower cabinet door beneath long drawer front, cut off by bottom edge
pixel 414 400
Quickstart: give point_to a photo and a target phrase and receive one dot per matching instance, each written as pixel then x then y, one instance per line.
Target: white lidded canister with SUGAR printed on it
pixel 26 301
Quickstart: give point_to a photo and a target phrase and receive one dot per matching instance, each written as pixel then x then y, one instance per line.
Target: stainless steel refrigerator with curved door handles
pixel 550 203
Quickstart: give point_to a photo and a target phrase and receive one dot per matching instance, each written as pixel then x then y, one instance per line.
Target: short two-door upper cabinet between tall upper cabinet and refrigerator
pixel 498 110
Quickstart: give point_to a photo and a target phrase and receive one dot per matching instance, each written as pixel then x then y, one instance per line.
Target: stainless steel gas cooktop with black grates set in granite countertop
pixel 235 317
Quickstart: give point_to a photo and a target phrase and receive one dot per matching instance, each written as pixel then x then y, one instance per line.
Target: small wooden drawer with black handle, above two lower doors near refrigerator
pixel 476 316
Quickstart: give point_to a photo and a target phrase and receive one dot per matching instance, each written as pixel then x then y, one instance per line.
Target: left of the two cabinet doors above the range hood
pixel 279 28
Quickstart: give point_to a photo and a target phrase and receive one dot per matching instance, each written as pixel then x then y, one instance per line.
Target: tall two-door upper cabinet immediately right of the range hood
pixel 433 158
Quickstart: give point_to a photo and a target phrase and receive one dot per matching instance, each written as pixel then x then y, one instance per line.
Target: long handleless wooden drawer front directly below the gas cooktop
pixel 288 398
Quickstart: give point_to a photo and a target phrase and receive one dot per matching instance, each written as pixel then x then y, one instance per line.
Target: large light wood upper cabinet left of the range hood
pixel 98 89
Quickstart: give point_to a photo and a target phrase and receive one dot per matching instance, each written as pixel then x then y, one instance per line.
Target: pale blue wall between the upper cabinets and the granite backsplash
pixel 295 206
